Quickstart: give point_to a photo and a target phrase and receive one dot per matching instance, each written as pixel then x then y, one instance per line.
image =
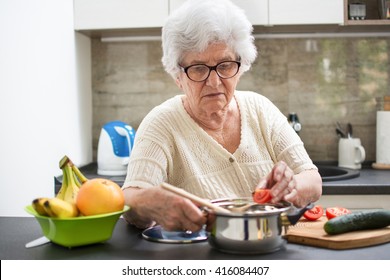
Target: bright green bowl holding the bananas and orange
pixel 78 231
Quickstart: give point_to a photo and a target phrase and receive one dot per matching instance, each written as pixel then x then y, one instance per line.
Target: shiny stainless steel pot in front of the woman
pixel 257 230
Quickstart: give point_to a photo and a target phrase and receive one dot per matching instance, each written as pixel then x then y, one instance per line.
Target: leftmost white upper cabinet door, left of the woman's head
pixel 117 14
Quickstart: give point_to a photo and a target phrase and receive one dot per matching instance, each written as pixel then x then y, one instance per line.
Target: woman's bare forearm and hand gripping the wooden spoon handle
pixel 172 212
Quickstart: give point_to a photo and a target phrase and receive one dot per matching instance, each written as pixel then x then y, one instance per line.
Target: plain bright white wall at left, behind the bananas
pixel 45 98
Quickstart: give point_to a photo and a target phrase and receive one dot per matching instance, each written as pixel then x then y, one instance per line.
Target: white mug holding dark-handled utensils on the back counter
pixel 351 153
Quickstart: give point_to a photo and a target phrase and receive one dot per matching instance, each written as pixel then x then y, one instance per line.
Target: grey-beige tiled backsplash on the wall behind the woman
pixel 323 80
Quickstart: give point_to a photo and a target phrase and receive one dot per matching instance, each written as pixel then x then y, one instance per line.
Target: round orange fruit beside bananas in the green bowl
pixel 99 196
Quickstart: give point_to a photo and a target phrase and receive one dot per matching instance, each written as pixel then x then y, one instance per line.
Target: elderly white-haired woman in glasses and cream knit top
pixel 212 141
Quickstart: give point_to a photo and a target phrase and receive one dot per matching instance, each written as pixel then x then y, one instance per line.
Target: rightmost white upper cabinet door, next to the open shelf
pixel 283 12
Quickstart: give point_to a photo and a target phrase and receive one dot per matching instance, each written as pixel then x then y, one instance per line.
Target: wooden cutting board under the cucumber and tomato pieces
pixel 312 233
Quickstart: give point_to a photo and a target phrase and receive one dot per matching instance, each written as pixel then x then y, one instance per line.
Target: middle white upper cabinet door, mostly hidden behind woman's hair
pixel 256 10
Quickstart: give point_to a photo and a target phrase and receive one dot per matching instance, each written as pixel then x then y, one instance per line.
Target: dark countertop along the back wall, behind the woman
pixel 370 181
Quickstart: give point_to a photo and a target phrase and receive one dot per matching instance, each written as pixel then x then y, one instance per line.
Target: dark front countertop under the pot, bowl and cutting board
pixel 127 244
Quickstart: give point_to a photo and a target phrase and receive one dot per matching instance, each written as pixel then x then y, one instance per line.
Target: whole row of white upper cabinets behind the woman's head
pixel 106 15
